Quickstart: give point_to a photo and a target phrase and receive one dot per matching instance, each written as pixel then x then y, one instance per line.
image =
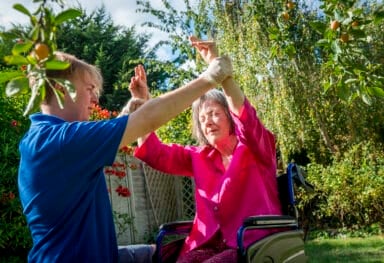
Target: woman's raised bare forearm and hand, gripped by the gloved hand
pixel 234 94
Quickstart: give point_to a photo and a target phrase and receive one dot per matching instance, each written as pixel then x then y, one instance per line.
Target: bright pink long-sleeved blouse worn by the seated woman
pixel 224 198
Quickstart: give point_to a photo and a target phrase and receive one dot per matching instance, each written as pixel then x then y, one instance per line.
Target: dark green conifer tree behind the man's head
pixel 114 49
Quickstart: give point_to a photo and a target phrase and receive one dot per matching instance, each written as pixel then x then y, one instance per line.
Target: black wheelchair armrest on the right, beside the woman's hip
pixel 270 221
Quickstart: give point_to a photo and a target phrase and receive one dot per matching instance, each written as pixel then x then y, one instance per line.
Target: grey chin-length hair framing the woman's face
pixel 212 95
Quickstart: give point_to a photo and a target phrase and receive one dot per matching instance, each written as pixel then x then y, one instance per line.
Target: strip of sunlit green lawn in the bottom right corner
pixel 351 250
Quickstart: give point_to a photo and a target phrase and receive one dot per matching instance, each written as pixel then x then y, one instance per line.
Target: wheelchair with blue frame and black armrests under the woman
pixel 286 245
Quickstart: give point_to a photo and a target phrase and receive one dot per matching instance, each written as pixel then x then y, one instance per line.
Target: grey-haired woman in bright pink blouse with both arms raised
pixel 234 167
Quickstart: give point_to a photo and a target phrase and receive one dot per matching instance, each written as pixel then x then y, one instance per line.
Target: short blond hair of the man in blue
pixel 77 69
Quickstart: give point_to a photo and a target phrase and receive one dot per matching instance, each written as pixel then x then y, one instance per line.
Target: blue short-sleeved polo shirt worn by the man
pixel 63 190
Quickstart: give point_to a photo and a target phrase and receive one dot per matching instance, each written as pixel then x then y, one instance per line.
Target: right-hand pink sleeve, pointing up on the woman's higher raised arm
pixel 253 133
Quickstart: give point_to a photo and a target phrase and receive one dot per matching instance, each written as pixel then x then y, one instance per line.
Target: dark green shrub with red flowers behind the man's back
pixel 14 233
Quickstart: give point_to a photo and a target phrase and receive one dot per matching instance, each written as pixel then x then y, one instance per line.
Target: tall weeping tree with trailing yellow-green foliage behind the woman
pixel 317 91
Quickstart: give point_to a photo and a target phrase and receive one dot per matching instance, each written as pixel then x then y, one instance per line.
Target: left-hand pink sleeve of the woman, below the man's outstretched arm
pixel 168 158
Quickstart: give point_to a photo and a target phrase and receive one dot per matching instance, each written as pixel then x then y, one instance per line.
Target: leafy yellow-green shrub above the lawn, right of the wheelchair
pixel 349 193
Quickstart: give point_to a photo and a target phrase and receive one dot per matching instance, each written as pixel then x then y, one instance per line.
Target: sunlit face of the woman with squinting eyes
pixel 214 123
